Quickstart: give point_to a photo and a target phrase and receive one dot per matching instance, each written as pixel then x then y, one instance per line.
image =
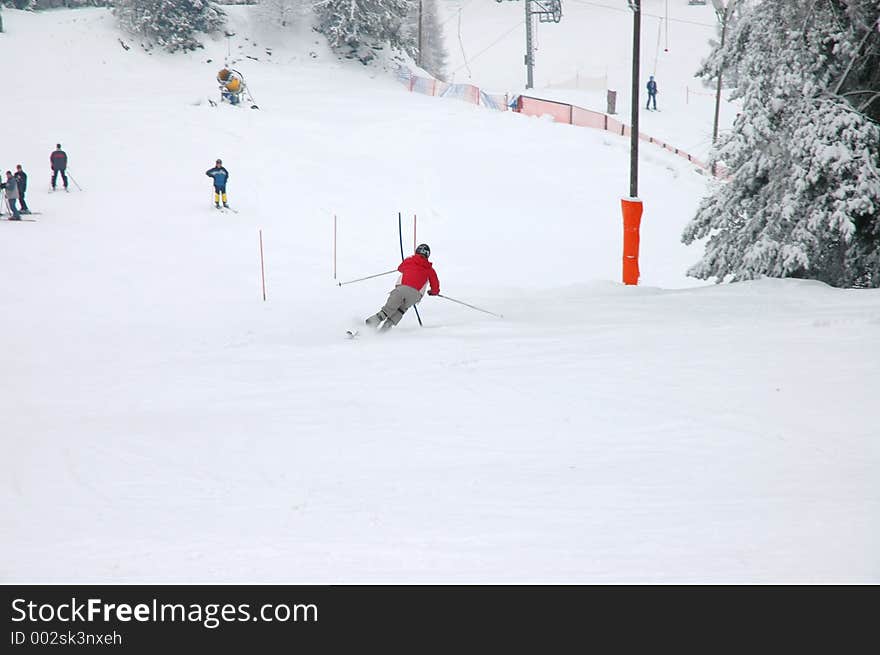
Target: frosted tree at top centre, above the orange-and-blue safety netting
pixel 359 27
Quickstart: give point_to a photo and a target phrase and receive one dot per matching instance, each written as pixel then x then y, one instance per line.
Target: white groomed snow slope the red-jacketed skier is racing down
pixel 162 423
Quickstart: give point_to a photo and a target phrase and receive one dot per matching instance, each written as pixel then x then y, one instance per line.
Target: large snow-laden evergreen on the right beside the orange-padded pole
pixel 803 197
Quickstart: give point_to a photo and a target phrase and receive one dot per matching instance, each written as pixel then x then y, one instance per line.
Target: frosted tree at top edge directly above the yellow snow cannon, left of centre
pixel 170 24
